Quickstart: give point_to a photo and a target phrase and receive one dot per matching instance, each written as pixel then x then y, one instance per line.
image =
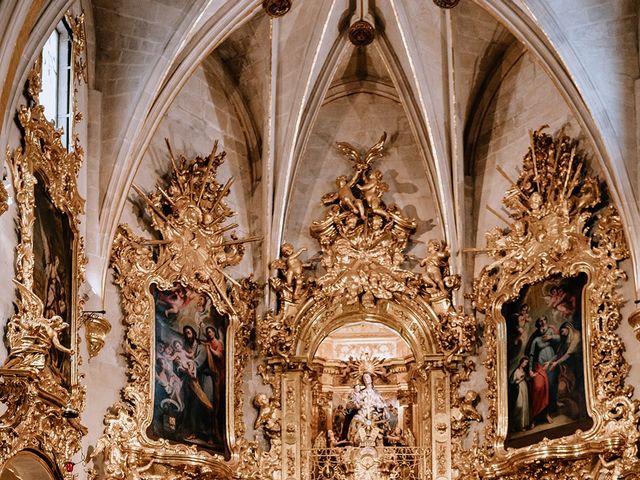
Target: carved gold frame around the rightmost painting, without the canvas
pixel 561 228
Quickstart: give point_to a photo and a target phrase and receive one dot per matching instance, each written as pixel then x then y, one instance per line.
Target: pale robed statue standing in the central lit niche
pixel 370 422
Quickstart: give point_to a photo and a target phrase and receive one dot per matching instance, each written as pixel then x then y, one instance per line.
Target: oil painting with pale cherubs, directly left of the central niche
pixel 190 381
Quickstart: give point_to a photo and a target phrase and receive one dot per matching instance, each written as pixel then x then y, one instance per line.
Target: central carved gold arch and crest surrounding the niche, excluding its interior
pixel 363 278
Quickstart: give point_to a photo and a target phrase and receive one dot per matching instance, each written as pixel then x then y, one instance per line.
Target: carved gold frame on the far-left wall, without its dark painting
pixel 41 410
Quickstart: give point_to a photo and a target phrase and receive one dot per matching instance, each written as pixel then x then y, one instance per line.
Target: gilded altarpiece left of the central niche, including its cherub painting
pixel 188 324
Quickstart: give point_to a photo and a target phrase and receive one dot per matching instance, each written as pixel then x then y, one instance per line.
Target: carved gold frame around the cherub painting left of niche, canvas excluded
pixel 195 247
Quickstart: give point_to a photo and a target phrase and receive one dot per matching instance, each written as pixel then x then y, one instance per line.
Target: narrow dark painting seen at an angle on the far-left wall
pixel 52 273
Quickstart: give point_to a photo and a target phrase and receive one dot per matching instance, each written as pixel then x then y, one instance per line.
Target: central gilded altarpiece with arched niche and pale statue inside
pixel 361 276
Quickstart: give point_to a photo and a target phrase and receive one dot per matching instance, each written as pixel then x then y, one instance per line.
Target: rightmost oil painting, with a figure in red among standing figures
pixel 545 365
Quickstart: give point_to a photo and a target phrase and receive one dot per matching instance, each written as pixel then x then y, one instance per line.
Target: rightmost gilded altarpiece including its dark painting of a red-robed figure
pixel 558 404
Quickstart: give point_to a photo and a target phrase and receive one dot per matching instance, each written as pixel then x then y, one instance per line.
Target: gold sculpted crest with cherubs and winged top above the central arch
pixel 362 266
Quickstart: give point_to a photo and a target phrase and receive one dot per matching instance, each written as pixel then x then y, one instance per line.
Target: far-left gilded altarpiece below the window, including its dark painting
pixel 41 384
